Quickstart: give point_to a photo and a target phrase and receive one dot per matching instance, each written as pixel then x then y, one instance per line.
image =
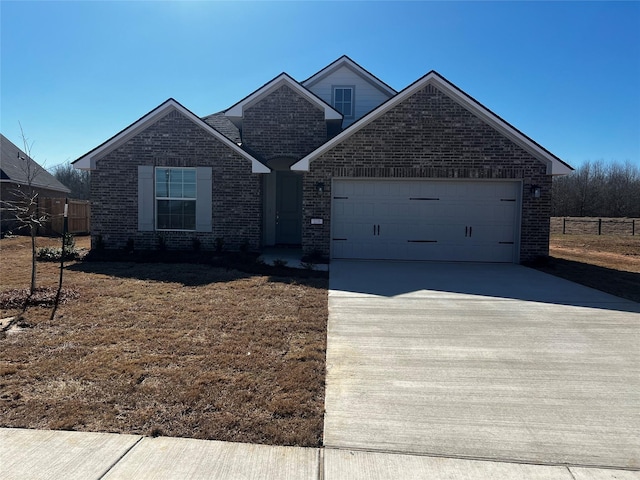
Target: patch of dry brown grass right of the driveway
pixel 610 263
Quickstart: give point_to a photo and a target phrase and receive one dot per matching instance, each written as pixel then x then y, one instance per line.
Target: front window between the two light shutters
pixel 175 198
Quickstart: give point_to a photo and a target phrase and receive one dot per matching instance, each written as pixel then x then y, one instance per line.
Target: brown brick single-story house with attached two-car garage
pixel 340 164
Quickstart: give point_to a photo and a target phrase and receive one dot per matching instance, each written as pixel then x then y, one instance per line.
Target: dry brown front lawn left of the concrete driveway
pixel 166 349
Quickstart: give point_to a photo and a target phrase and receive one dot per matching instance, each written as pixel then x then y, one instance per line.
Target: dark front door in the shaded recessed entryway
pixel 288 208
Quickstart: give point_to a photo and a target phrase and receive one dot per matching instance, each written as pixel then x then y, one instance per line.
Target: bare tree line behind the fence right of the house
pixel 598 189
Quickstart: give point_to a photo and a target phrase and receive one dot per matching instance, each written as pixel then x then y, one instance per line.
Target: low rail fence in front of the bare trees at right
pixel 595 226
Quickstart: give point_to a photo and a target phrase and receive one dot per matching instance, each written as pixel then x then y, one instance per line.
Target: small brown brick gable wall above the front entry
pixel 283 124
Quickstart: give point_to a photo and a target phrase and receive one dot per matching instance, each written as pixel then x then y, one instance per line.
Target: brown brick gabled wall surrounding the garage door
pixel 429 136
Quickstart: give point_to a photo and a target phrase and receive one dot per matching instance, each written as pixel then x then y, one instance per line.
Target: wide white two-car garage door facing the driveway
pixel 426 220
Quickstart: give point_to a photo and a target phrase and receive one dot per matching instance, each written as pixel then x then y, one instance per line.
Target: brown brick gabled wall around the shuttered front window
pixel 175 141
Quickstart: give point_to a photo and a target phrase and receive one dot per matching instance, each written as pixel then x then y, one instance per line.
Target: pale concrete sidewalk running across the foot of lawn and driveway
pixel 51 455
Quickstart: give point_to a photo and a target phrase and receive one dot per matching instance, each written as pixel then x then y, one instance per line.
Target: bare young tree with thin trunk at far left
pixel 22 204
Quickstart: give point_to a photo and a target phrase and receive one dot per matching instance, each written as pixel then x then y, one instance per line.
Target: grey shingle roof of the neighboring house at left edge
pixel 16 167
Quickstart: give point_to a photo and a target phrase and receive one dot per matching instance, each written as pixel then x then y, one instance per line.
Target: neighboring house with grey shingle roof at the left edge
pixel 21 178
